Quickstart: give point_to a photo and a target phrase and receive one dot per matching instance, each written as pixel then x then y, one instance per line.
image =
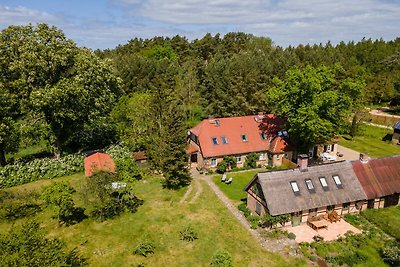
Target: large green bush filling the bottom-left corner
pixel 26 245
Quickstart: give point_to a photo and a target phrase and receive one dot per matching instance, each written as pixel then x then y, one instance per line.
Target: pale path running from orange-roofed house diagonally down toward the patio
pixel 272 245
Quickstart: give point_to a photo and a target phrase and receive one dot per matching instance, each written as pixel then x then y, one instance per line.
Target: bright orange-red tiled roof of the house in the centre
pixel 232 129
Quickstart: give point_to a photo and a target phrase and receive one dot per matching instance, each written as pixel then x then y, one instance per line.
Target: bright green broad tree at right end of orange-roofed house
pixel 316 102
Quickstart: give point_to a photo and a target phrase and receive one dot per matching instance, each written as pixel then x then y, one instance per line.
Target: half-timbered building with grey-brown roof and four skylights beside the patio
pixel 306 191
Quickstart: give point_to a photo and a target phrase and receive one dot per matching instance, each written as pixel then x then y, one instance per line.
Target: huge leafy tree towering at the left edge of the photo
pixel 45 76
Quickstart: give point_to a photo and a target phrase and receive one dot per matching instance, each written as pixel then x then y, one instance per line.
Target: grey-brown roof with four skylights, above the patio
pixel 281 198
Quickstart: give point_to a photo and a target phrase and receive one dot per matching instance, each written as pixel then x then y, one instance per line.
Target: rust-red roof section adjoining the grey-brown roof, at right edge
pixel 379 177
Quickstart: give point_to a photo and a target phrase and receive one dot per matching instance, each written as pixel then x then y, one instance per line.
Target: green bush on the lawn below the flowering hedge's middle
pixel 59 196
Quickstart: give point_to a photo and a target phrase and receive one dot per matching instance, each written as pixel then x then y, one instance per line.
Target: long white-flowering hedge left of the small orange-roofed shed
pixel 47 168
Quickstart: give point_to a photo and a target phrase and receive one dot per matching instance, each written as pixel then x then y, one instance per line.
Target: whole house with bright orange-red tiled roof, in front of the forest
pixel 214 138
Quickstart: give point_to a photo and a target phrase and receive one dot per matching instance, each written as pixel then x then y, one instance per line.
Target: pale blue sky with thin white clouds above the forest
pixel 101 24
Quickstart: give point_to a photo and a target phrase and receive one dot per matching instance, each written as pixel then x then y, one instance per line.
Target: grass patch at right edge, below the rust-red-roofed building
pixel 387 219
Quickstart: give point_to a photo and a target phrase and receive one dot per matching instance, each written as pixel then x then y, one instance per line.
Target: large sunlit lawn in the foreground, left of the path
pixel 159 220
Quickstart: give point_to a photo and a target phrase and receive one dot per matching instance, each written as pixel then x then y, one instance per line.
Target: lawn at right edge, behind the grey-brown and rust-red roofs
pixel 371 141
